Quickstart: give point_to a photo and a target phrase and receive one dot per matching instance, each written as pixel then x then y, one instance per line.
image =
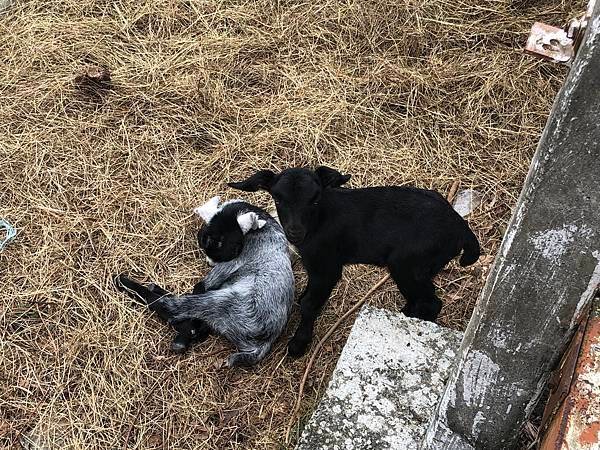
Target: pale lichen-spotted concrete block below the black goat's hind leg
pixel 385 386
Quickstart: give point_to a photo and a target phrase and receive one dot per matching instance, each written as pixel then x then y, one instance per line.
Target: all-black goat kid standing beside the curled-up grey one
pixel 413 232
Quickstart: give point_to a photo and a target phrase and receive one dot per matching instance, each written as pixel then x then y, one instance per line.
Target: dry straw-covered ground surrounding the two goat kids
pixel 101 180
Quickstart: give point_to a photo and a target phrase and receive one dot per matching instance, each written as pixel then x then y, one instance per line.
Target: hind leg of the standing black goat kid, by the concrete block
pixel 421 301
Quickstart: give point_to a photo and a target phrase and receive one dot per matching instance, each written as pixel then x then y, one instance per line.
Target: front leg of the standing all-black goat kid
pixel 320 285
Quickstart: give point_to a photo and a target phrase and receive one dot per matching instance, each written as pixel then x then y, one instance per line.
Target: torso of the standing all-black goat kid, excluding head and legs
pixel 379 224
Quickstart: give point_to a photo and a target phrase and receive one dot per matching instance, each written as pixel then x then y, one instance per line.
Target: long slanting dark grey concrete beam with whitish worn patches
pixel 546 271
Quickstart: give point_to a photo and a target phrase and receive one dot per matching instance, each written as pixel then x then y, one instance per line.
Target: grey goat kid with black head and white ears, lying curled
pixel 246 297
